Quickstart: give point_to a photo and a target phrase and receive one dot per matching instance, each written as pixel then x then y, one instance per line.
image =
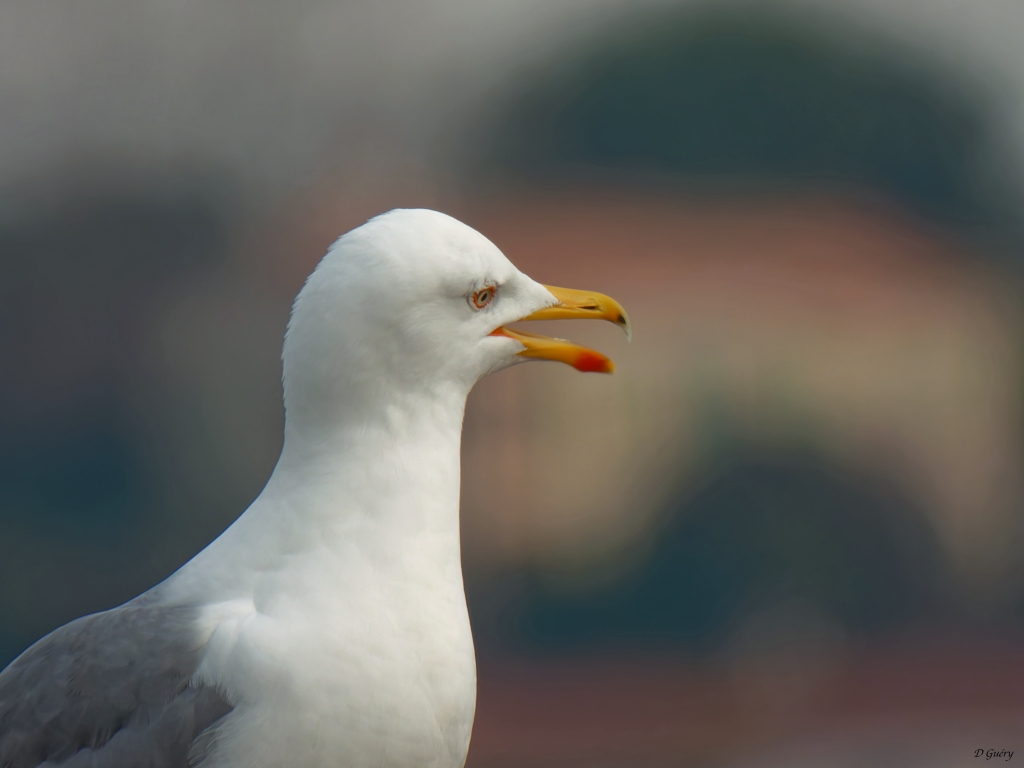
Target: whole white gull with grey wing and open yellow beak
pixel 327 626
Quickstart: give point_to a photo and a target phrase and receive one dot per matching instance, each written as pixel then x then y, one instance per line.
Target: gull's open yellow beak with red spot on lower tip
pixel 572 306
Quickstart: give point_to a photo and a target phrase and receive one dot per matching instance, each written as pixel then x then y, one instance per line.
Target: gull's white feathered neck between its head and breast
pixel 383 486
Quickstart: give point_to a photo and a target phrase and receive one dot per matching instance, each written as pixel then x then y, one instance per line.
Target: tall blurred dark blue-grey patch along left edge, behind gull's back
pixel 80 279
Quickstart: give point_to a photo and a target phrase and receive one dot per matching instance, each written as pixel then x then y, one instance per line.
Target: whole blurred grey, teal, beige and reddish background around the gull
pixel 789 532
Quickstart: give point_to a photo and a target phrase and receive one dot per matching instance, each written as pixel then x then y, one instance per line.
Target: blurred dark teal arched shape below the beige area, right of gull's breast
pixel 758 533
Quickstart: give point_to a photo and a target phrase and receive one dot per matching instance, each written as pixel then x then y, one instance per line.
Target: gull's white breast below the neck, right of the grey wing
pixel 378 673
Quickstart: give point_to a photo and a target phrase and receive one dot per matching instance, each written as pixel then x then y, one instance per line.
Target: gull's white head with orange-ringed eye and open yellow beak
pixel 415 303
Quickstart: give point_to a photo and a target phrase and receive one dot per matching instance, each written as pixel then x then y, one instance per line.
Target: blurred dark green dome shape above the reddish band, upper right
pixel 753 100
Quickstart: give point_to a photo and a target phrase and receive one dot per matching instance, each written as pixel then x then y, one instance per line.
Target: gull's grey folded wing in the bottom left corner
pixel 109 691
